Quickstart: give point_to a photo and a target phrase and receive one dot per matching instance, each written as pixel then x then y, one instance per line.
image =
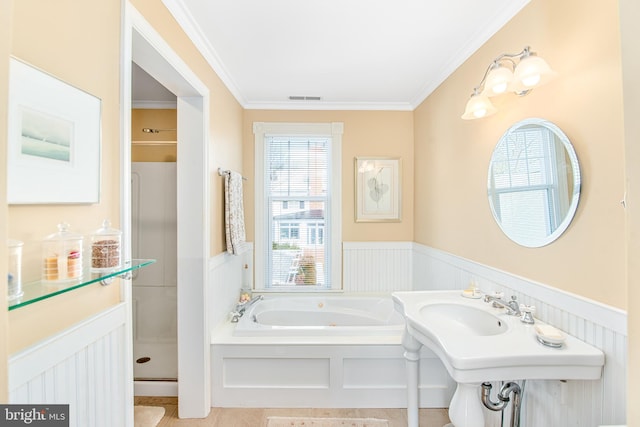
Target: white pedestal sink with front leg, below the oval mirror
pixel 478 343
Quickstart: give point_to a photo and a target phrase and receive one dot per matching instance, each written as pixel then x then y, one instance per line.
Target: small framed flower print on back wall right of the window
pixel 378 189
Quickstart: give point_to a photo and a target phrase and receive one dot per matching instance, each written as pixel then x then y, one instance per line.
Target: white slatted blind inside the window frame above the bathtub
pixel 297 175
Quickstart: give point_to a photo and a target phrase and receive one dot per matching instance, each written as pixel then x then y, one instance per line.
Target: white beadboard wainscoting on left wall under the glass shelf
pixel 84 366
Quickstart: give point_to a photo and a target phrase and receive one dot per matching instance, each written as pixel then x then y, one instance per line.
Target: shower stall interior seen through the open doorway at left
pixel 154 235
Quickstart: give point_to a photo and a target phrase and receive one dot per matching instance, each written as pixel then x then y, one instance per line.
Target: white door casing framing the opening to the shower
pixel 144 46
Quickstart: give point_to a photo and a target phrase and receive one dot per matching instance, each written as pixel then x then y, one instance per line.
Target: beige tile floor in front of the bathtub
pixel 257 417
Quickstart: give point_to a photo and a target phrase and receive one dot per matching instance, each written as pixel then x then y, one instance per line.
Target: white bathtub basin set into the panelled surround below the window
pixel 333 315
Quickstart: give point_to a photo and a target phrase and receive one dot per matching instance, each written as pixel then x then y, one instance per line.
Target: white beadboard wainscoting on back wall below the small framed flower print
pixel 378 267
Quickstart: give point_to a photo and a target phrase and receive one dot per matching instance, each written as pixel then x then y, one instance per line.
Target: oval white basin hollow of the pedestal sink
pixel 463 319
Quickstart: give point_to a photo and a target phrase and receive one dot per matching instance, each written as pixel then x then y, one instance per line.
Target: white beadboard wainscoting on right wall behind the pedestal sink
pixel 547 403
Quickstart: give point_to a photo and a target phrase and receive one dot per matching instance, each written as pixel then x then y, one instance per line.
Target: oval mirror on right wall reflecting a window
pixel 534 182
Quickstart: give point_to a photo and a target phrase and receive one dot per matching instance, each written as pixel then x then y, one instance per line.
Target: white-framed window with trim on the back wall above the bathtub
pixel 298 225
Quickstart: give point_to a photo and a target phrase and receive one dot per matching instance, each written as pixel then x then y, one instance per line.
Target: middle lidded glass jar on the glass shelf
pixel 62 256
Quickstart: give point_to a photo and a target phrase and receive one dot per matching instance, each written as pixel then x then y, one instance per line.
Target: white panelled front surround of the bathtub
pixel 325 372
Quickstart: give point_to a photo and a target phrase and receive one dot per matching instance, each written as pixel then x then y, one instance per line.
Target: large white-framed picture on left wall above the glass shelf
pixel 53 141
